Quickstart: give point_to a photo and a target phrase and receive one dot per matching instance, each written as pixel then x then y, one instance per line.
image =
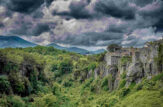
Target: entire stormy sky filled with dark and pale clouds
pixel 83 23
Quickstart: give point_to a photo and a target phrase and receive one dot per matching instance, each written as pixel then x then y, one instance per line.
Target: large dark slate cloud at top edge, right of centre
pixel 116 9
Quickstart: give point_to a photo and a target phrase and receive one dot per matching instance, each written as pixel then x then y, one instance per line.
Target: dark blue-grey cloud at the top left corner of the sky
pixel 22 6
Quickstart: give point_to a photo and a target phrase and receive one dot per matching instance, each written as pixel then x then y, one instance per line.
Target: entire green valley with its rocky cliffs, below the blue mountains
pixel 47 77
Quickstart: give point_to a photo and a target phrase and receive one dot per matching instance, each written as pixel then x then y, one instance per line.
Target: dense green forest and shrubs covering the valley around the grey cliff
pixel 47 77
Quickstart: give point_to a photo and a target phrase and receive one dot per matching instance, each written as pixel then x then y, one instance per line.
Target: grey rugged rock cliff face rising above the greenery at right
pixel 142 64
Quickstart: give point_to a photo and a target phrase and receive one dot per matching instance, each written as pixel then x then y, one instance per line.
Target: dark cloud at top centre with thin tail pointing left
pixel 77 10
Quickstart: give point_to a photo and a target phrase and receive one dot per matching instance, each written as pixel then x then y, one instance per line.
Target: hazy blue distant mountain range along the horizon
pixel 14 41
